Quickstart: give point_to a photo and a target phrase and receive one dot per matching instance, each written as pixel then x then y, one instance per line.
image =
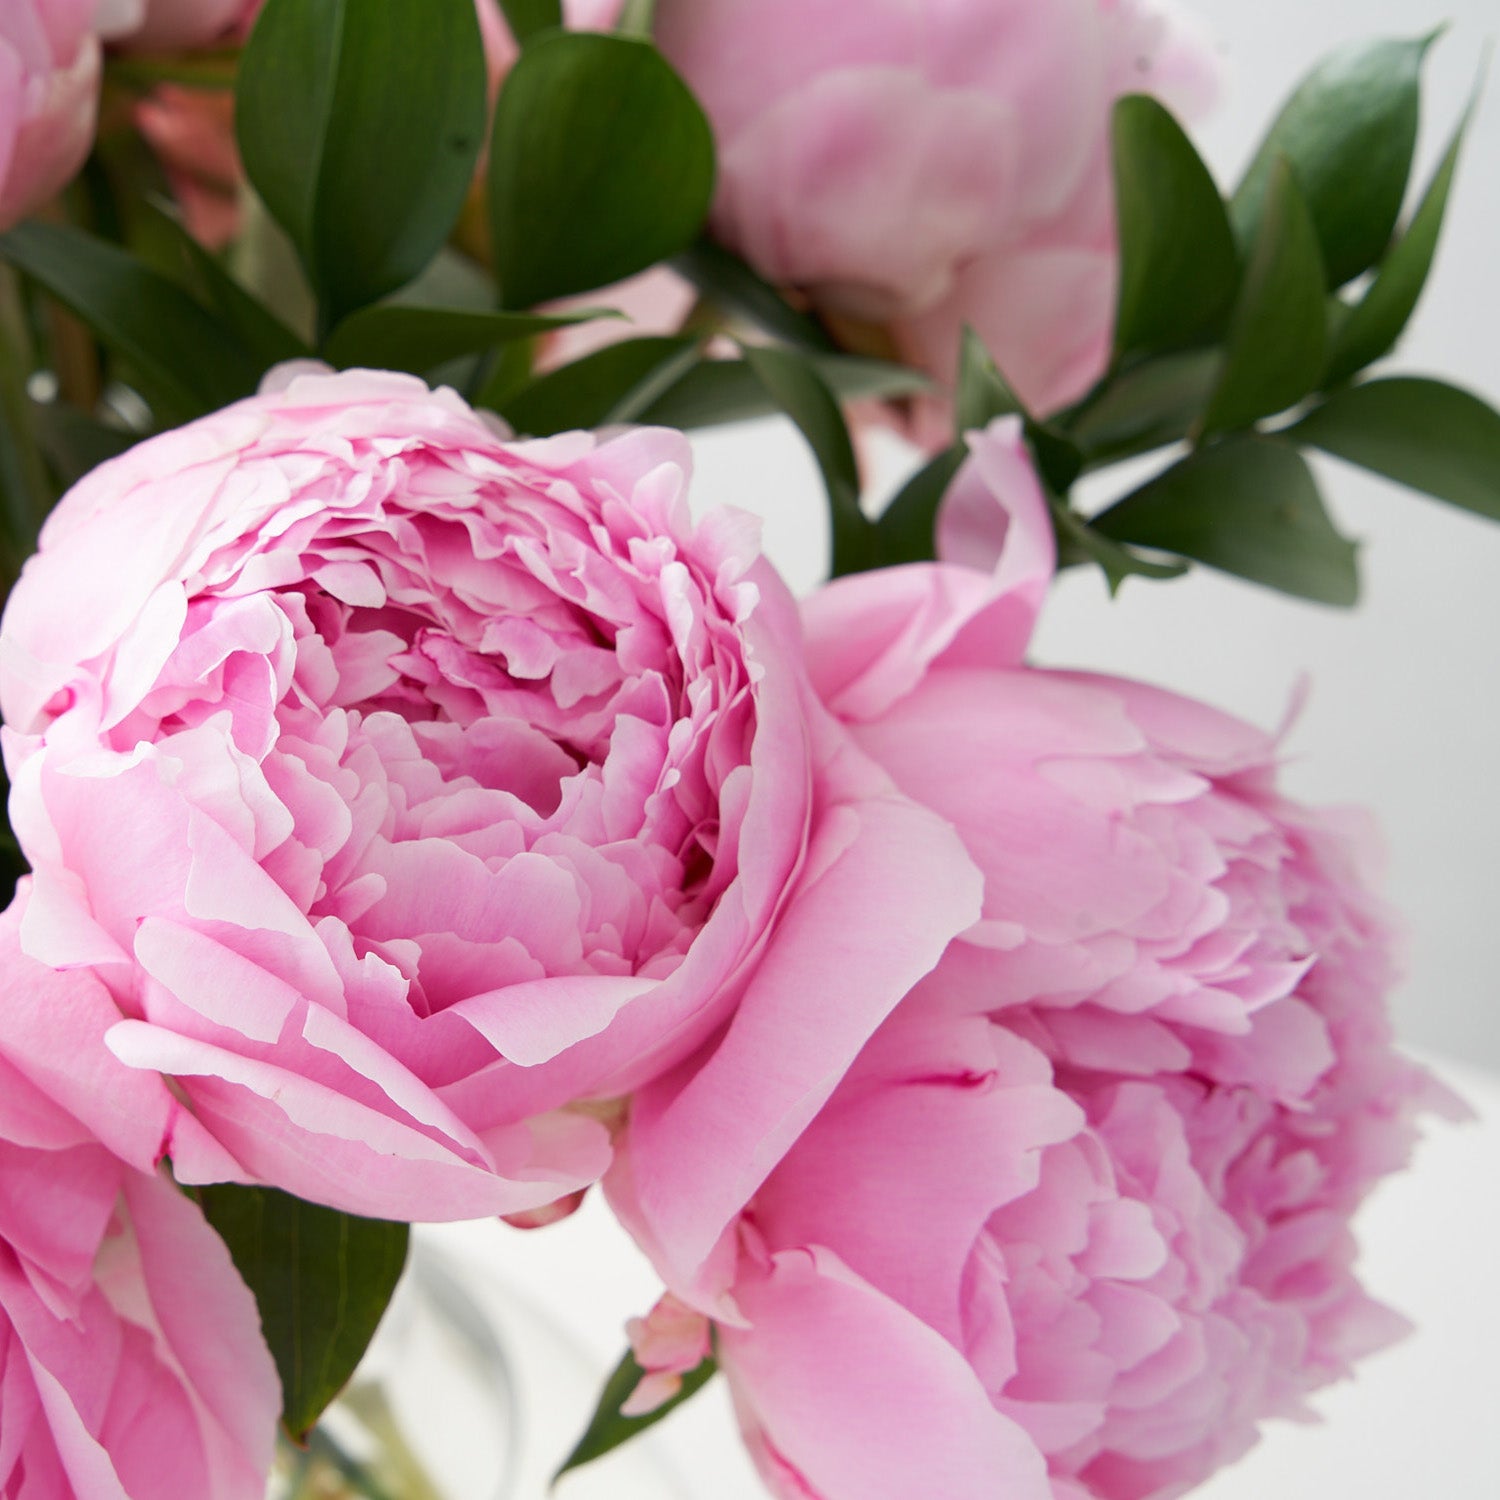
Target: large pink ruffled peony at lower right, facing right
pixel 1078 1219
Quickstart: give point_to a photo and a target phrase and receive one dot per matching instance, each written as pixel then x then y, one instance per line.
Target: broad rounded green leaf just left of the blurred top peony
pixel 602 164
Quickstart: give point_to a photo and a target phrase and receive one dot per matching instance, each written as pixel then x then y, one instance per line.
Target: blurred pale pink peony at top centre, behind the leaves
pixel 917 167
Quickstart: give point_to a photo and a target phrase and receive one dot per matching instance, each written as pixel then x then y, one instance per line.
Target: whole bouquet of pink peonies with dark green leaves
pixel 425 806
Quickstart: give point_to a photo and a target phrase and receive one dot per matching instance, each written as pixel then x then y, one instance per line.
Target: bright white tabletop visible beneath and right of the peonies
pixel 1418 1423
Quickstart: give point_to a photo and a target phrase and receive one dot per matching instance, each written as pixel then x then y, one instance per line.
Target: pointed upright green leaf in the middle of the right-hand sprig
pixel 1277 341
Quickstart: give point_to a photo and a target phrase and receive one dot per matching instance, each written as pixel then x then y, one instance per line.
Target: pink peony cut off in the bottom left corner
pixel 131 1351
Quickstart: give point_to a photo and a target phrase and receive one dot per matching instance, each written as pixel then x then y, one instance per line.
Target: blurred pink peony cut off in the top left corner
pixel 49 100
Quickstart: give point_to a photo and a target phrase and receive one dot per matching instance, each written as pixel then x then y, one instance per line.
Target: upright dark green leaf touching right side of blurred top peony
pixel 1178 260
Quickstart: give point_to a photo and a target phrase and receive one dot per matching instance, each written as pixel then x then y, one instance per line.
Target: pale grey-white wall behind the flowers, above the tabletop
pixel 1405 715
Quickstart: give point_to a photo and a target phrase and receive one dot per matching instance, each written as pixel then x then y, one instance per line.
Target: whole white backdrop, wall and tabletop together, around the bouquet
pixel 1403 718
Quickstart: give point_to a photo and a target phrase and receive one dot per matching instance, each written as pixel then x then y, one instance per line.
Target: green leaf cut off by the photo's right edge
pixel 1421 433
